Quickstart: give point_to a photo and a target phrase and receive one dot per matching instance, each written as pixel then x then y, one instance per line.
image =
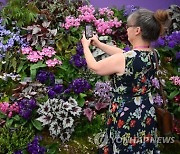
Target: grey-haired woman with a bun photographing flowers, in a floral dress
pixel 131 125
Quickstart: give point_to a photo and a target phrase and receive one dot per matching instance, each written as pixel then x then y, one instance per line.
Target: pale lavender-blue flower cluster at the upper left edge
pixel 9 38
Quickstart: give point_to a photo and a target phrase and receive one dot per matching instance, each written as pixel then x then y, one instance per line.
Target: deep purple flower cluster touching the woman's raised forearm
pixel 78 60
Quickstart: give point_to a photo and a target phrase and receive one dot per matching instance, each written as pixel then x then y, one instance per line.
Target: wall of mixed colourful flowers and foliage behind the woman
pixel 46 88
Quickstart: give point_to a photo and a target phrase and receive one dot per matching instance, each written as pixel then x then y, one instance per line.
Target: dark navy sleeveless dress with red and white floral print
pixel 131 123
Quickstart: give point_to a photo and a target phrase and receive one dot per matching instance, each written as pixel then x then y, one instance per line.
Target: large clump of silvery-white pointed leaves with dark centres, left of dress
pixel 58 115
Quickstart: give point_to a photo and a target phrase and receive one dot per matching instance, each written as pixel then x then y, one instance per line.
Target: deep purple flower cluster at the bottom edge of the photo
pixel 34 146
